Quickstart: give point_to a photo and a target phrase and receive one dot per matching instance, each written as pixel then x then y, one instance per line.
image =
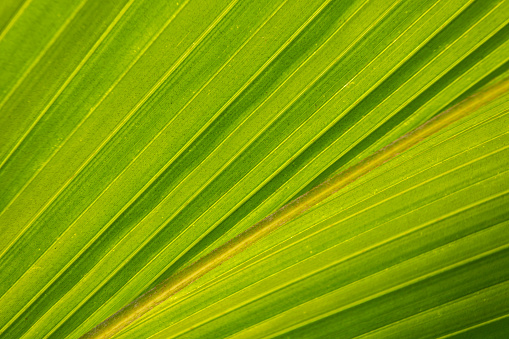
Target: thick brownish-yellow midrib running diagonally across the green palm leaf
pixel 196 270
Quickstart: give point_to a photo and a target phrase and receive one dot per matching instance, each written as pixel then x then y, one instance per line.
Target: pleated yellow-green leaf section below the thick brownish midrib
pixel 386 257
